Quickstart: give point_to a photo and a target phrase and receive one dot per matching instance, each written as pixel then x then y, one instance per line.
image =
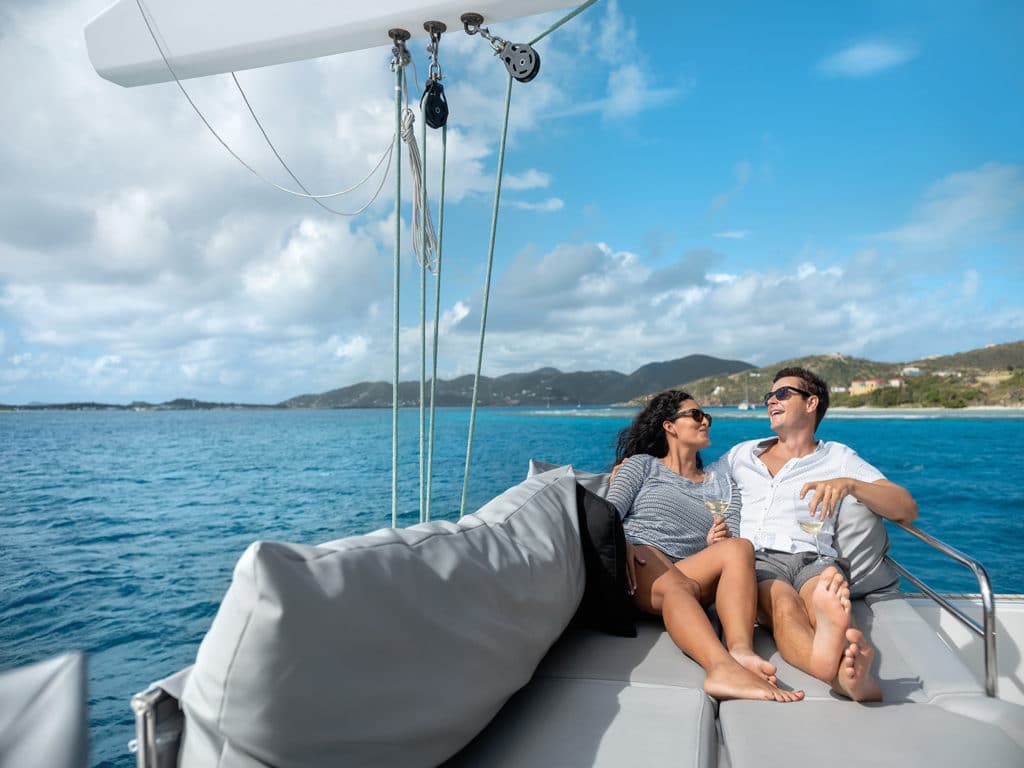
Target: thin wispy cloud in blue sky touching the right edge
pixel 967 204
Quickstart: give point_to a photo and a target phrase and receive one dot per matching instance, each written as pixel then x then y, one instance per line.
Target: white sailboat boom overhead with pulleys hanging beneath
pixel 209 37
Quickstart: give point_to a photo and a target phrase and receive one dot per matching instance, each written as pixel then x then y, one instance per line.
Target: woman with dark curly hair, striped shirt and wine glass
pixel 679 560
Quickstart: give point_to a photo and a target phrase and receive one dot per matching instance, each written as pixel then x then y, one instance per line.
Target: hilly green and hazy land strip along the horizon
pixel 993 376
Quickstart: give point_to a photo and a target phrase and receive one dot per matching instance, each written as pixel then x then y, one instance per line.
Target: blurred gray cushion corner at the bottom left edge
pixel 44 714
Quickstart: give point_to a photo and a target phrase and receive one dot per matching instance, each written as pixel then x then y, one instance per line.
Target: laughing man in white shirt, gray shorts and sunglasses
pixel 794 478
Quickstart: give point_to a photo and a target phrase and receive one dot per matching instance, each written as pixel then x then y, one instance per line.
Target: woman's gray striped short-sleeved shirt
pixel 664 509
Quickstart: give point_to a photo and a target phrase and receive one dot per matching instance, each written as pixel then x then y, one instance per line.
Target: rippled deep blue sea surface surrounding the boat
pixel 119 530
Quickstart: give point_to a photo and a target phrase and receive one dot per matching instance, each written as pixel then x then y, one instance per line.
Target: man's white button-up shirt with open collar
pixel 772 507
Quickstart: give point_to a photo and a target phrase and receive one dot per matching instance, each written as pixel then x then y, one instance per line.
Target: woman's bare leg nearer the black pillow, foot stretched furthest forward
pixel 665 591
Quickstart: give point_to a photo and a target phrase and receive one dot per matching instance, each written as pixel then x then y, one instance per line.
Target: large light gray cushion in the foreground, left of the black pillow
pixel 391 649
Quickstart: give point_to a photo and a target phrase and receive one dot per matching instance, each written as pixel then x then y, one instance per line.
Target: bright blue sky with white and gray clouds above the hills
pixel 747 181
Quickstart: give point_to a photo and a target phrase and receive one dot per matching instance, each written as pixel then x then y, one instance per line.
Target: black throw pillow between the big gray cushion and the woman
pixel 607 606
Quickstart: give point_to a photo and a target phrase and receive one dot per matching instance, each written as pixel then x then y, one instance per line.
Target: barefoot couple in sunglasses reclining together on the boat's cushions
pixel 756 563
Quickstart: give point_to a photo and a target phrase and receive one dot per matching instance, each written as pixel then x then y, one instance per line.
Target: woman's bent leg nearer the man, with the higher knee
pixel 724 573
